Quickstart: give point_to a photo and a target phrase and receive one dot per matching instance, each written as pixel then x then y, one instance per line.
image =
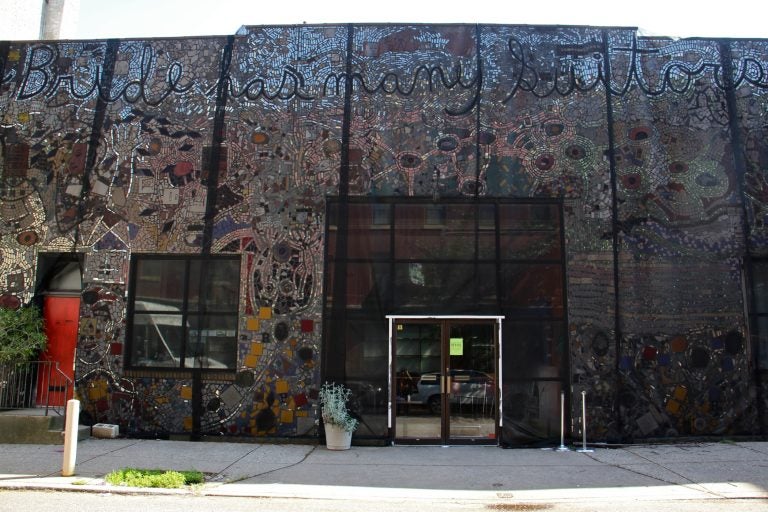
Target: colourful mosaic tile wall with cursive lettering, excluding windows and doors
pixel 230 145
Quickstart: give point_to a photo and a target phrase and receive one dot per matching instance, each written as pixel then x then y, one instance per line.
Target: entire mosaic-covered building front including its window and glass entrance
pixel 467 224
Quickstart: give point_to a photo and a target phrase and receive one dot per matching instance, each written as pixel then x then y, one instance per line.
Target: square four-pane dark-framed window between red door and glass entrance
pixel 184 312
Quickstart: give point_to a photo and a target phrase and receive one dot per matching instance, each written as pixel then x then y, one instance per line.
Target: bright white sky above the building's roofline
pixel 100 19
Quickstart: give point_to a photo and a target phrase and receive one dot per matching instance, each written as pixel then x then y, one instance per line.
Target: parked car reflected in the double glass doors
pixel 467 387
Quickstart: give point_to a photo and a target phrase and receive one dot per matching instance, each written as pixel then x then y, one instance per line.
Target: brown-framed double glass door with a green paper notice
pixel 445 382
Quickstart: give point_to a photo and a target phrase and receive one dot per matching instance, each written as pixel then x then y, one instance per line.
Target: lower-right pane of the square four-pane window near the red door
pixel 212 342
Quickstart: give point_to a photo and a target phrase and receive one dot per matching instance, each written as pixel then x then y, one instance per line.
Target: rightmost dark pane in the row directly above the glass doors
pixel 532 289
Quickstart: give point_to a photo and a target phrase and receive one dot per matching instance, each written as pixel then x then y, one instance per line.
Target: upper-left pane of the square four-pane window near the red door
pixel 160 281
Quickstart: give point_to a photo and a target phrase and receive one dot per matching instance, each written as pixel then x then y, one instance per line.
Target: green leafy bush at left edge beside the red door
pixel 22 334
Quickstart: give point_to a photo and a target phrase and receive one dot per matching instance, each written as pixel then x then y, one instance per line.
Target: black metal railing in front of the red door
pixel 35 385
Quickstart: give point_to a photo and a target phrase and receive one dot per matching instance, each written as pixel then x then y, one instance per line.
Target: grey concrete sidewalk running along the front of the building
pixel 641 472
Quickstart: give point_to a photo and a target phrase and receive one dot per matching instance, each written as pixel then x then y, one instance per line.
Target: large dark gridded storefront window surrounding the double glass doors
pixel 451 257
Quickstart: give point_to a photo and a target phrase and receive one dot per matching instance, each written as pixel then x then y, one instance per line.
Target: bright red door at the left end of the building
pixel 61 316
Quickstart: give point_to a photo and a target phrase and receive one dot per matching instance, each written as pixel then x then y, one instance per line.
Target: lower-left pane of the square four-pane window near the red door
pixel 157 339
